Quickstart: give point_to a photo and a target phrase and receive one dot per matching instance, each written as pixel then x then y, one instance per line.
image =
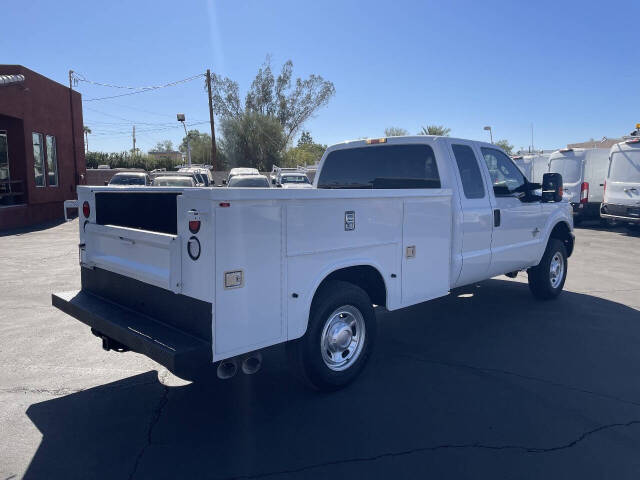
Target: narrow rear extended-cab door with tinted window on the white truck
pixel 475 222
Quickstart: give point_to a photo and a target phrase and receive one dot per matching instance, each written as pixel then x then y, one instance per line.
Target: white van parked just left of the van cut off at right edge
pixel 583 171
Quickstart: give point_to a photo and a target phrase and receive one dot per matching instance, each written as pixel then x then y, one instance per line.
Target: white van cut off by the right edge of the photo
pixel 622 188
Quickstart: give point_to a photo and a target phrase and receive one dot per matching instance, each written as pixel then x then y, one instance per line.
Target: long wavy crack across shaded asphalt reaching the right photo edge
pixel 433 448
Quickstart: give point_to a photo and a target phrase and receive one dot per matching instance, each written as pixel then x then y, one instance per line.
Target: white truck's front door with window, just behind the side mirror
pixel 518 221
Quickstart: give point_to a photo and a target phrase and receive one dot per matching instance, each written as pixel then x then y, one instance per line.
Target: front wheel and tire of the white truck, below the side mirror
pixel 546 279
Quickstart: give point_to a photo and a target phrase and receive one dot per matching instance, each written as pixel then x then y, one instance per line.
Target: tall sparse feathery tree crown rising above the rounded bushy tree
pixel 291 103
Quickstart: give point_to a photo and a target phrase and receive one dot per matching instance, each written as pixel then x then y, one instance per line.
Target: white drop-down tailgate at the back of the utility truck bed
pixel 150 257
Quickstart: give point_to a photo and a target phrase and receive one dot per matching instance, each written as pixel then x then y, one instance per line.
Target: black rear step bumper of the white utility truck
pixel 179 352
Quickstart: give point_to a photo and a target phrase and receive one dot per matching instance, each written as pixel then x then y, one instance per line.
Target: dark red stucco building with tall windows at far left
pixel 41 147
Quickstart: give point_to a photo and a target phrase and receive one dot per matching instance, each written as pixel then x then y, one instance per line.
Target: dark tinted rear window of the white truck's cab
pixel 381 167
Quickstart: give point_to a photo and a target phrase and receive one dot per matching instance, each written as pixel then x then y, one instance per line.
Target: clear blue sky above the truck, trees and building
pixel 570 68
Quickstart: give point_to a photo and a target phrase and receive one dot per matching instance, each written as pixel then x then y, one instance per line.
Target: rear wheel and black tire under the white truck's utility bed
pixel 339 338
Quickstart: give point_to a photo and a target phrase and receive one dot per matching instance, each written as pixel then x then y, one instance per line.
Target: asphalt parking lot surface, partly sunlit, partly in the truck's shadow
pixel 484 383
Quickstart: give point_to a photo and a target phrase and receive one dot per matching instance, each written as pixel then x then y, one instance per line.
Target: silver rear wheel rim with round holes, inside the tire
pixel 342 338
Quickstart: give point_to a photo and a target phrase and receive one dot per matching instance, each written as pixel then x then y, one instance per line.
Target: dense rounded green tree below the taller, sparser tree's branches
pixel 252 139
